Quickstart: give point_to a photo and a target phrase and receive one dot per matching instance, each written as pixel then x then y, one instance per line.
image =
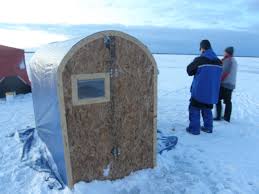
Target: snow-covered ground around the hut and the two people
pixel 225 162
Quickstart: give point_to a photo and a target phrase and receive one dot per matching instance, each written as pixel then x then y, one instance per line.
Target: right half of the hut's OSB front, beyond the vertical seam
pixel 132 108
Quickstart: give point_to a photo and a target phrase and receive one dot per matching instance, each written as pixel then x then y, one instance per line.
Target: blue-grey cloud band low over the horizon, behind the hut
pixel 158 39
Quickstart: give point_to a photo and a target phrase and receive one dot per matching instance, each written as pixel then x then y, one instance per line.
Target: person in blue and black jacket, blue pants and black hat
pixel 207 70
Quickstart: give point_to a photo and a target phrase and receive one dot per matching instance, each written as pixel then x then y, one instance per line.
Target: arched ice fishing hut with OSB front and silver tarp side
pixel 95 104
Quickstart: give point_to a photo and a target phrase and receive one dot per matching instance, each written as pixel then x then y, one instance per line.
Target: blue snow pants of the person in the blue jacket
pixel 194 117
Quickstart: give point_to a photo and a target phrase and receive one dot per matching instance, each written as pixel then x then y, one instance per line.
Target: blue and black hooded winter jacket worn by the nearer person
pixel 207 70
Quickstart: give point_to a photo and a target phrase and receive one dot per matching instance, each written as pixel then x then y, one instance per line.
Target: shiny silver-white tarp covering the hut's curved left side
pixel 43 73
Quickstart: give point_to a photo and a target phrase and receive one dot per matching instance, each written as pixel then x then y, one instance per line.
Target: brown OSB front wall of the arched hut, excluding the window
pixel 93 130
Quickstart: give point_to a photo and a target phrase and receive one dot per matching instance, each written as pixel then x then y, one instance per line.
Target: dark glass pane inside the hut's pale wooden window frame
pixel 88 89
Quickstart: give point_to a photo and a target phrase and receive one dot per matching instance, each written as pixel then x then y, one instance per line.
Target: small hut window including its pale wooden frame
pixel 90 88
